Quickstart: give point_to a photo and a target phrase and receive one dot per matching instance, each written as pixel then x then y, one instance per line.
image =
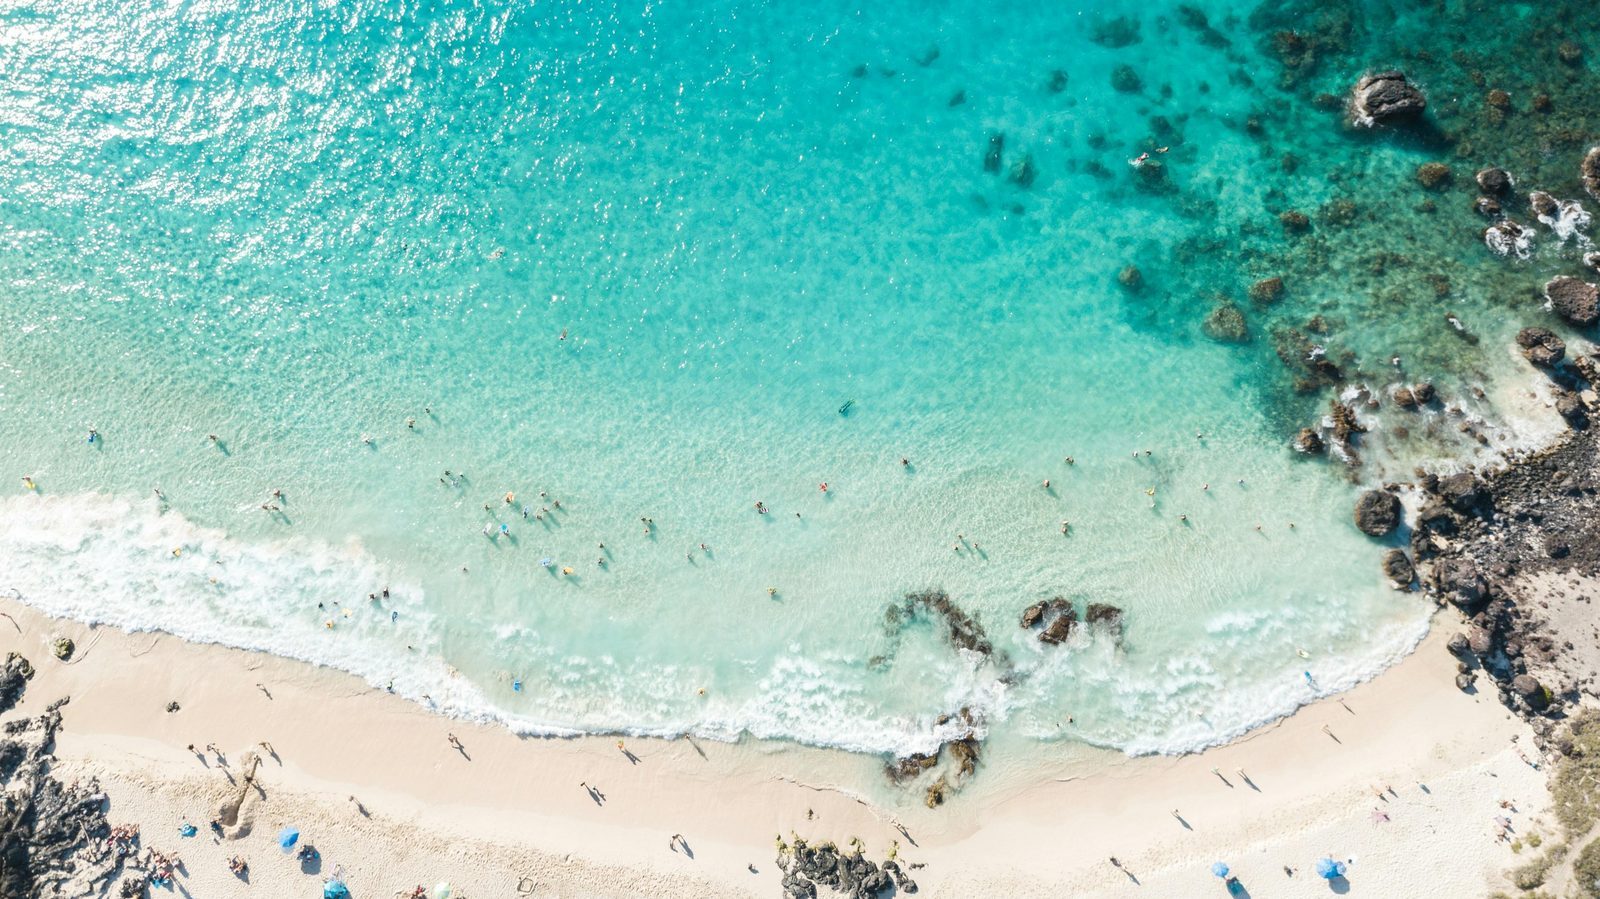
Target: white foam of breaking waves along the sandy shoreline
pixel 110 561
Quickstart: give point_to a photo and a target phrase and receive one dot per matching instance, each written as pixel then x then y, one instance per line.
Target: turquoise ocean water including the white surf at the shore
pixel 636 258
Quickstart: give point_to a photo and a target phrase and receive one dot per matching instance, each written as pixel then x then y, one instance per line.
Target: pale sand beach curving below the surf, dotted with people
pixel 375 785
